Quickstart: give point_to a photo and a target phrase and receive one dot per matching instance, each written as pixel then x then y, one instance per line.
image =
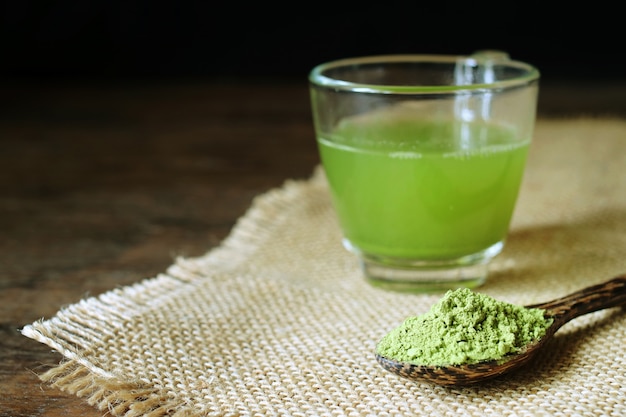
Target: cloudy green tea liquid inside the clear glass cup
pixel 421 189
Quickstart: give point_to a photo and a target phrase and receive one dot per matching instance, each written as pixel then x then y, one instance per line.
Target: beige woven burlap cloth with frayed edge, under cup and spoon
pixel 279 321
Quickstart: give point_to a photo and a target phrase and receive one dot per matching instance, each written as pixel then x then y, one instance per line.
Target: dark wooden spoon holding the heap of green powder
pixel 597 297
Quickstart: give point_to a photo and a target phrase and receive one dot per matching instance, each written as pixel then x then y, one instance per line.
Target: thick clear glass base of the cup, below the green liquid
pixel 426 276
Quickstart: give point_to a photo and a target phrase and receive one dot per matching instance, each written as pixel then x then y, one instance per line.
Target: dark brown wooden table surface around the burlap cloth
pixel 103 184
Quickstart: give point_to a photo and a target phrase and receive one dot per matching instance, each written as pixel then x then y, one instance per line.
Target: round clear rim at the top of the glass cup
pixel 317 77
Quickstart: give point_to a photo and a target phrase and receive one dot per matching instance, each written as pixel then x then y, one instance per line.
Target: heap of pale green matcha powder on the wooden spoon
pixel 464 327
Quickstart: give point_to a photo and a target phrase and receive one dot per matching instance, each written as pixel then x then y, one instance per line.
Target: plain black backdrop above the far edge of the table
pixel 146 39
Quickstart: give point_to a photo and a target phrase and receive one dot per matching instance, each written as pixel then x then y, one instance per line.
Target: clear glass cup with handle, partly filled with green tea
pixel 424 156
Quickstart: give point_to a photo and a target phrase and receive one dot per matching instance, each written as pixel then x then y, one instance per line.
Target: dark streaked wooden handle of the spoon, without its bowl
pixel 609 294
